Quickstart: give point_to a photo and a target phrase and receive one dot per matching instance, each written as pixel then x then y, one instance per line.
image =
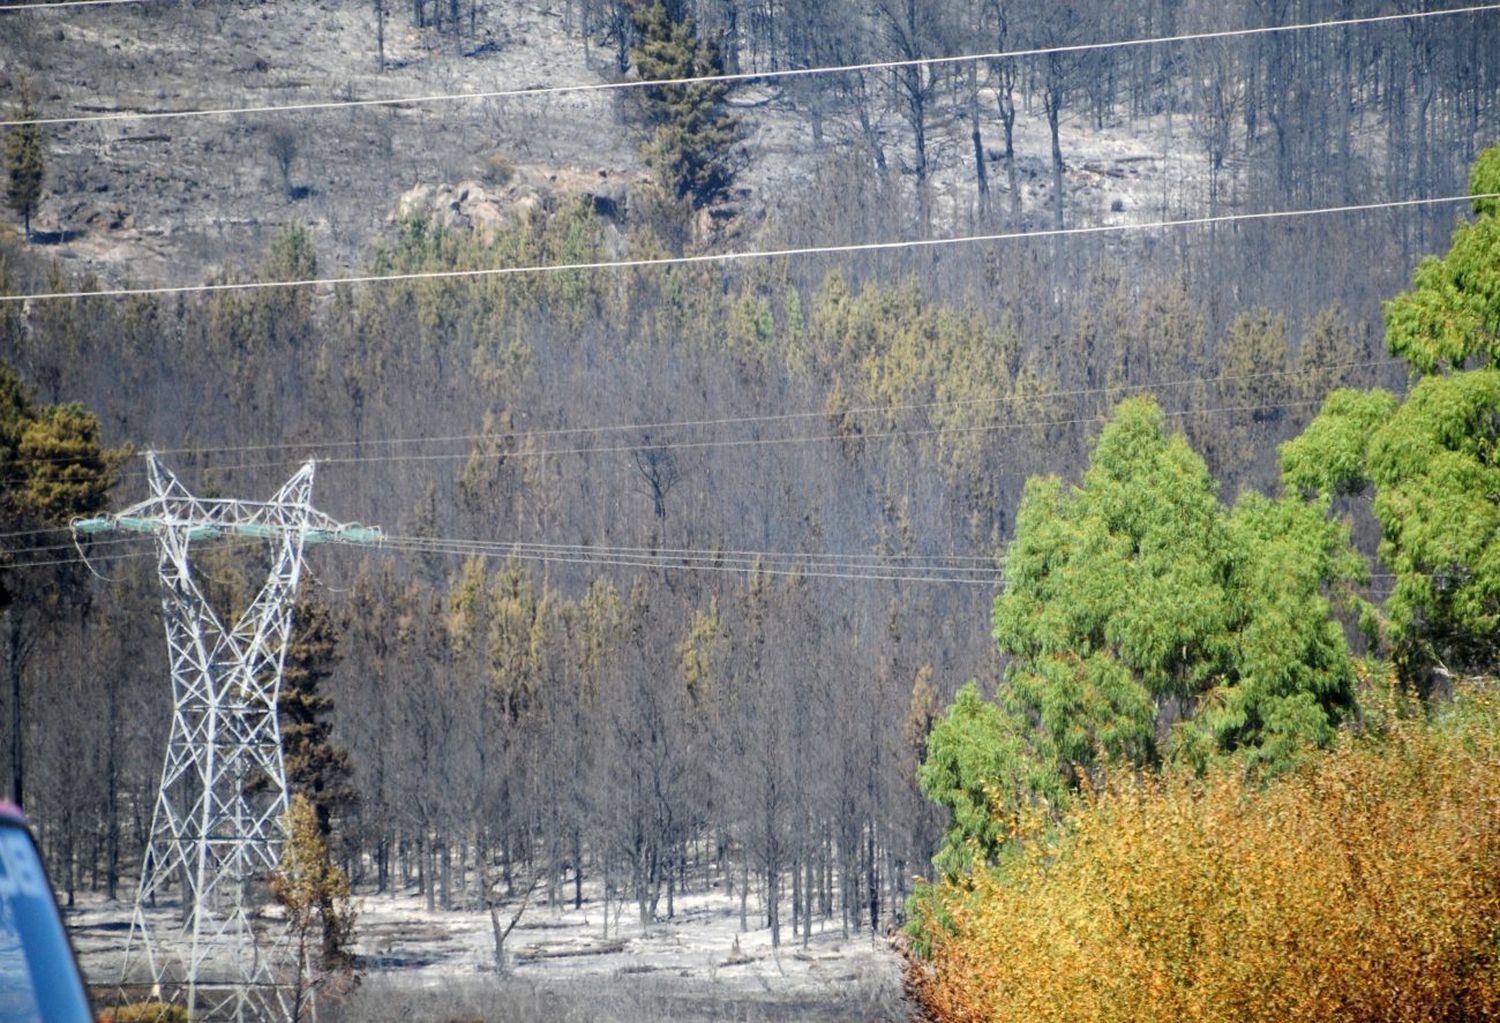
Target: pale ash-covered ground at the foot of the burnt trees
pixel 419 965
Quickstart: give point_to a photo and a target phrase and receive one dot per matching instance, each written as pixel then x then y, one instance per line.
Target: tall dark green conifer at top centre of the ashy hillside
pixel 692 149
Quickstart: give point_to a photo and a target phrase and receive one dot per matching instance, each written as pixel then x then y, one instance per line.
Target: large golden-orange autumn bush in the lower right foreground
pixel 1366 886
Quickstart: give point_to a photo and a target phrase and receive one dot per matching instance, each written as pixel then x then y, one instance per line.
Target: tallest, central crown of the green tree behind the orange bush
pixel 1115 596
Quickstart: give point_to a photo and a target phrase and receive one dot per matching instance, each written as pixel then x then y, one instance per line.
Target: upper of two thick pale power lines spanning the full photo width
pixel 739 77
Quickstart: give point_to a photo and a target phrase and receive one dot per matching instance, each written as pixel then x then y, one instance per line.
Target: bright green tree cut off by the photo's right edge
pixel 1433 458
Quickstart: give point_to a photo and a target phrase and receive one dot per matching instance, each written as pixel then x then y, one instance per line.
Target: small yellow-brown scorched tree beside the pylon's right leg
pixel 316 899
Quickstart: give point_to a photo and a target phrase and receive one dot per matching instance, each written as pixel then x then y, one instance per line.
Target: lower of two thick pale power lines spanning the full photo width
pixel 740 257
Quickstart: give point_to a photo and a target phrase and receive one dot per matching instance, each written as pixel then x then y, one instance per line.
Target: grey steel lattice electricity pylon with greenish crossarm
pixel 218 823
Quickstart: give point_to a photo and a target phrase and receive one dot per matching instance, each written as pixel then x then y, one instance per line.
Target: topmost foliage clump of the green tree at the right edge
pixel 1451 317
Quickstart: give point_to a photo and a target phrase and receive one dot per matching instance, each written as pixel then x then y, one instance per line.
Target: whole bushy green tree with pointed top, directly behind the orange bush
pixel 1136 596
